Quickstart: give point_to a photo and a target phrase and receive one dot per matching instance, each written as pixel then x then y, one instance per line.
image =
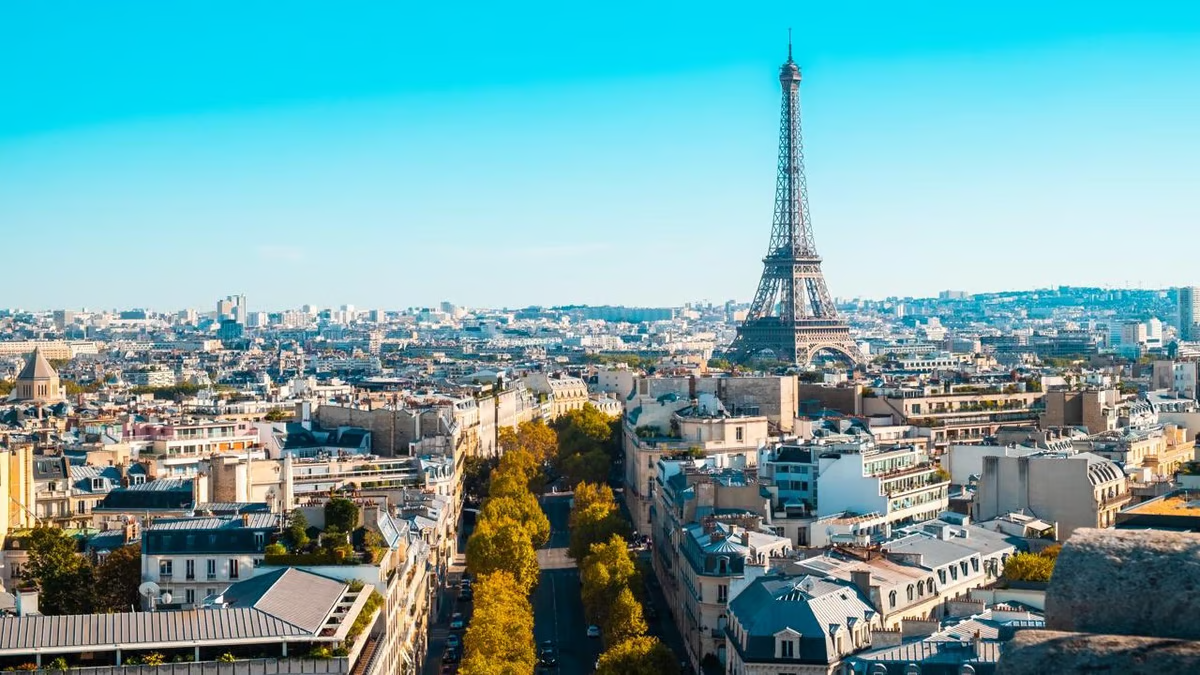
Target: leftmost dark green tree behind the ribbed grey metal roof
pixel 65 578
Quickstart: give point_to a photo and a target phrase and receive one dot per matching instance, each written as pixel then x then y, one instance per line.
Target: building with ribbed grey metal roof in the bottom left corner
pixel 289 614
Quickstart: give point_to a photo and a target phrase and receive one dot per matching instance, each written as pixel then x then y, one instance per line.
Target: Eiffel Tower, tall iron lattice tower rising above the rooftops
pixel 793 316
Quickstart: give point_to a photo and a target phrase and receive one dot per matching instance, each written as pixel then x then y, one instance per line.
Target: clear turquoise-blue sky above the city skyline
pixel 389 156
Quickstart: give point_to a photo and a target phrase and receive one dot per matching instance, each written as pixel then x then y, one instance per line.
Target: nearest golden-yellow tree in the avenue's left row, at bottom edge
pixel 500 640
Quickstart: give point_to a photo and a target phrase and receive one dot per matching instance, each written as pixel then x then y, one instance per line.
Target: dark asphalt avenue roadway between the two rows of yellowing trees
pixel 557 606
